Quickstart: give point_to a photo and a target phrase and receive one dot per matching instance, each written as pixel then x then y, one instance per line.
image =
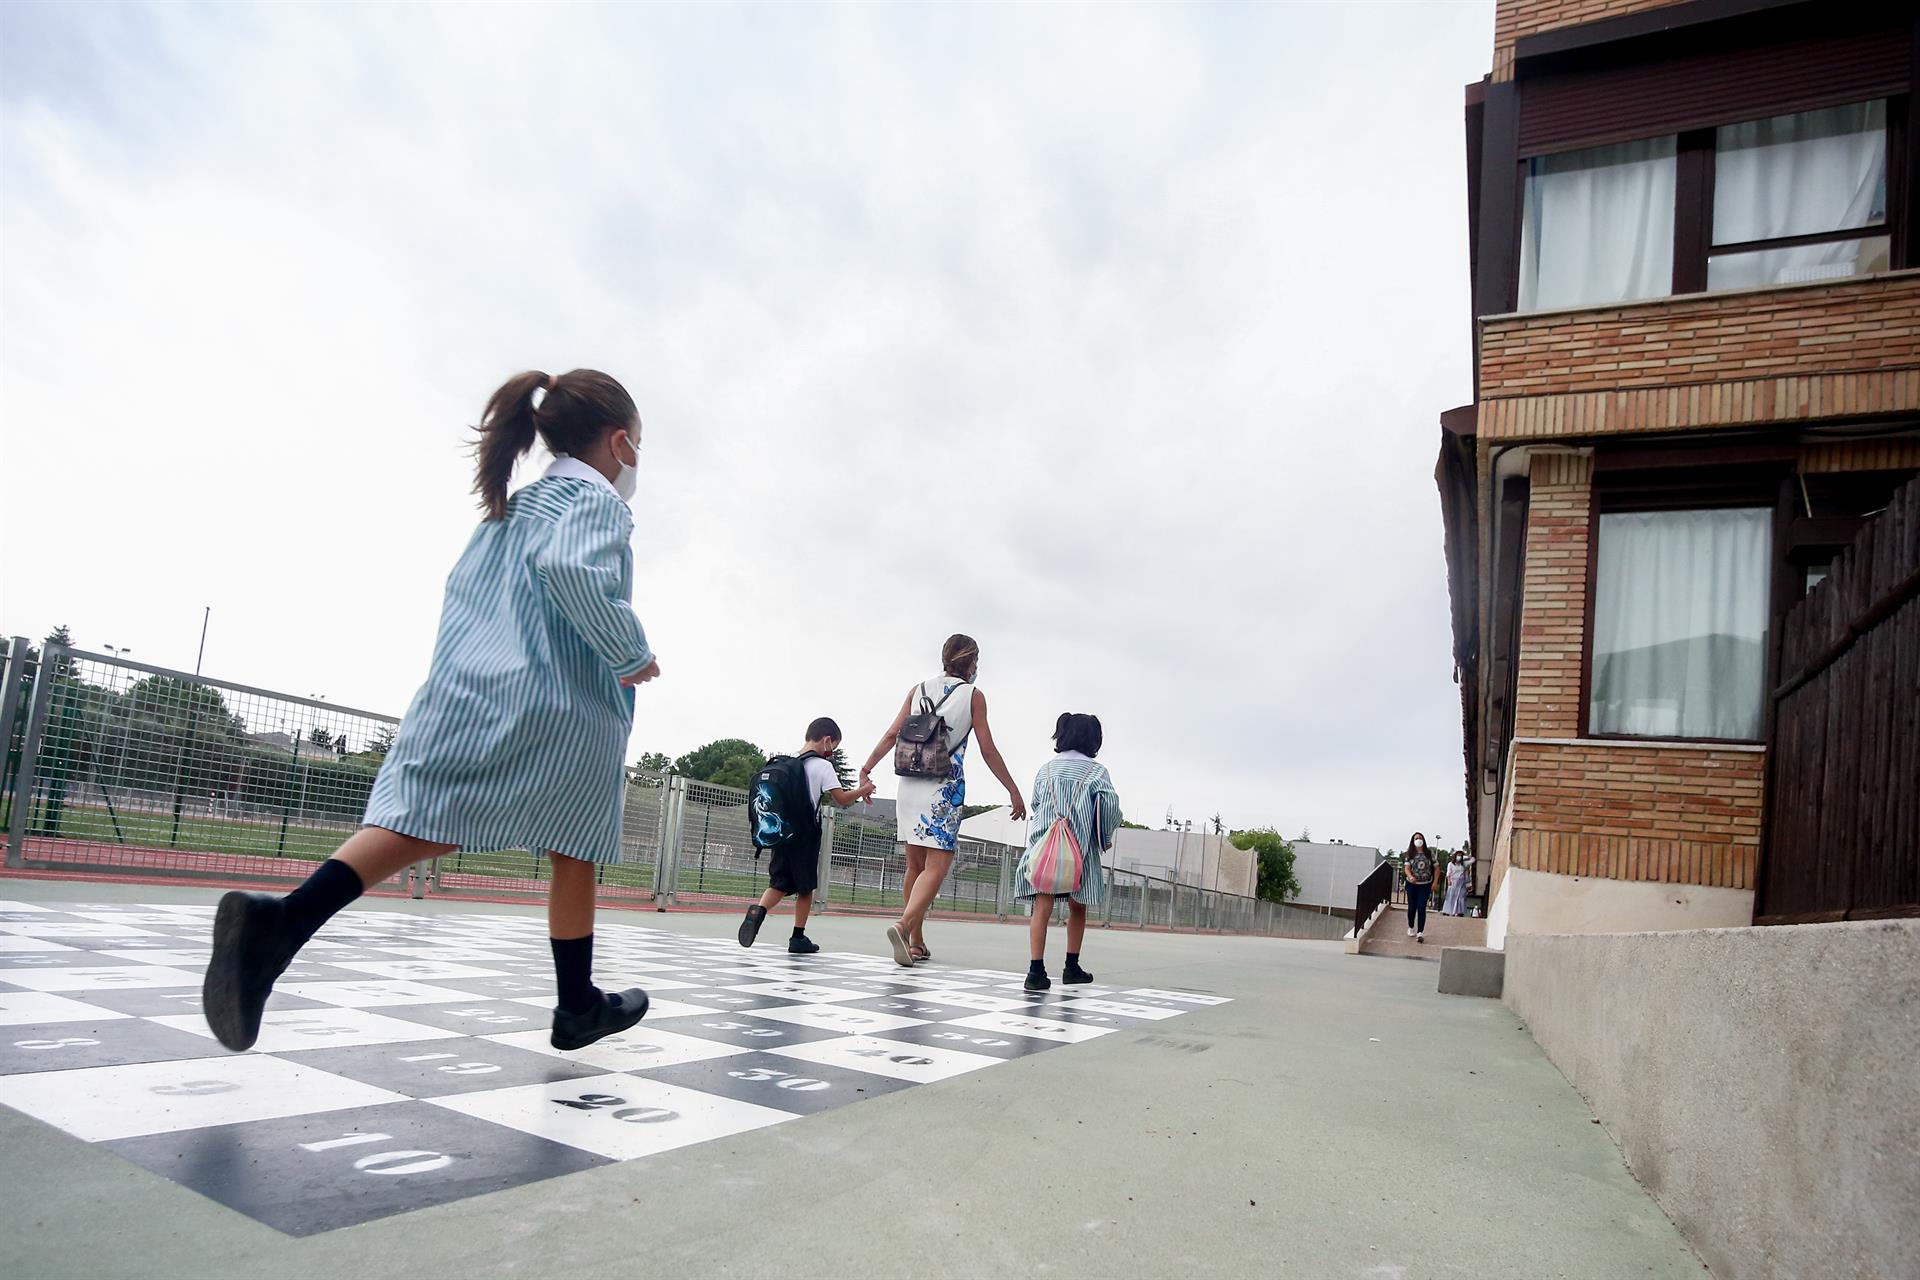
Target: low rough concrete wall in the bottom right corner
pixel 1762 1083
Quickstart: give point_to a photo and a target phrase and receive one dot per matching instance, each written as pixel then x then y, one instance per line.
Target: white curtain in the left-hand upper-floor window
pixel 1598 225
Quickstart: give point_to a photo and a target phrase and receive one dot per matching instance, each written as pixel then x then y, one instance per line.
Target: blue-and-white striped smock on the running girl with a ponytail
pixel 519 734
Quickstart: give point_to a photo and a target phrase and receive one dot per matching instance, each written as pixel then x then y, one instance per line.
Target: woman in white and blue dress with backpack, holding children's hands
pixel 930 740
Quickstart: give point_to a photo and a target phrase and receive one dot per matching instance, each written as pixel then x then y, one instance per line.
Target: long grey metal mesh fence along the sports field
pixel 122 767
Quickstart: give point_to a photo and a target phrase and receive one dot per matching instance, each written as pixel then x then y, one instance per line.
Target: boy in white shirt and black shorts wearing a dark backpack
pixel 786 822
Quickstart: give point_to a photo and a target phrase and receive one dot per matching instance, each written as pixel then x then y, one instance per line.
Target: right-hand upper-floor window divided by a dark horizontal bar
pixel 1800 199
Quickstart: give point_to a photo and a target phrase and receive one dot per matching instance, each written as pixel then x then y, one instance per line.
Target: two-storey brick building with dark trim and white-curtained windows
pixel 1696 320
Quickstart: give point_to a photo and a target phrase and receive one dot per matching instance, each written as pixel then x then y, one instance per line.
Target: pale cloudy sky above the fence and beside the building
pixel 1115 337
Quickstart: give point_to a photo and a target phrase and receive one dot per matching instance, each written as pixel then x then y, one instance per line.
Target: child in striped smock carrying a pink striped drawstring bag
pixel 1076 815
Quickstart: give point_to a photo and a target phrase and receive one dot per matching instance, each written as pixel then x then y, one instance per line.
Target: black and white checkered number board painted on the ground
pixel 404 1058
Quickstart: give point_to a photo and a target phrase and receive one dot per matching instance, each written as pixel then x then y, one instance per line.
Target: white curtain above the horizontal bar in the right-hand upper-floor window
pixel 1800 176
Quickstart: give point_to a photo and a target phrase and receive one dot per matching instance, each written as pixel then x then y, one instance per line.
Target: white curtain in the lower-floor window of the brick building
pixel 1681 623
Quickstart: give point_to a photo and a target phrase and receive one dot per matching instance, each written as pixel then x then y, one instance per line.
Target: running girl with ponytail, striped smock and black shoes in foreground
pixel 517 736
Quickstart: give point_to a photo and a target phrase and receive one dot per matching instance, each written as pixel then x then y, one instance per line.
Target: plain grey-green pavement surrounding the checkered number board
pixel 1337 1120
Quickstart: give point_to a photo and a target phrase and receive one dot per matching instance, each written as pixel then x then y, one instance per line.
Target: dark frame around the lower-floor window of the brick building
pixel 1746 488
